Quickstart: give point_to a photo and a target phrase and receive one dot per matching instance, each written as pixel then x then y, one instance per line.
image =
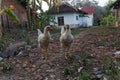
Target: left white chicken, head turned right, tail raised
pixel 43 40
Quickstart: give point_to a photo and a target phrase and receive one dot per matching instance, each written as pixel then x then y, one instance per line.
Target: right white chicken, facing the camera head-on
pixel 66 39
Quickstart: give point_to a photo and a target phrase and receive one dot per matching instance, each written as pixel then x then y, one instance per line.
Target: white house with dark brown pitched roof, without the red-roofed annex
pixel 67 14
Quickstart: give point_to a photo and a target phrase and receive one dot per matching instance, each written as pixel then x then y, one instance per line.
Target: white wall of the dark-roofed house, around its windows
pixel 70 18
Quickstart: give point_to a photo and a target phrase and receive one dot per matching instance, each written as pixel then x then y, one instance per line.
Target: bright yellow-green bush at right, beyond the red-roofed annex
pixel 109 20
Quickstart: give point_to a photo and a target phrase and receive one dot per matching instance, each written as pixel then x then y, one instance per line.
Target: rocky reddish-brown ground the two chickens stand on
pixel 90 50
